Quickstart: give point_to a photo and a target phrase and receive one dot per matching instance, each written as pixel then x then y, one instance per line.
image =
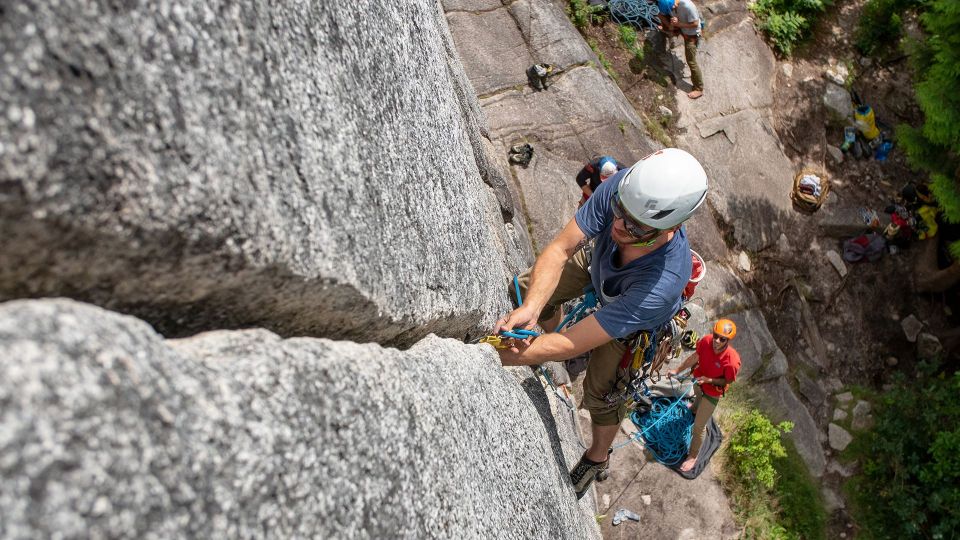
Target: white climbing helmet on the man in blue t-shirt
pixel 663 189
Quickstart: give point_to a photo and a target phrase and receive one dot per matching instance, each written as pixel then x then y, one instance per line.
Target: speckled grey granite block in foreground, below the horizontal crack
pixel 108 431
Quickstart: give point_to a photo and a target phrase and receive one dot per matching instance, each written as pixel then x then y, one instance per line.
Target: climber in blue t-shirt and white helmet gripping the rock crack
pixel 640 265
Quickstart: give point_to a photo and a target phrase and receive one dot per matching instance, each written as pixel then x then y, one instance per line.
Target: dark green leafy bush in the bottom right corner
pixel 910 481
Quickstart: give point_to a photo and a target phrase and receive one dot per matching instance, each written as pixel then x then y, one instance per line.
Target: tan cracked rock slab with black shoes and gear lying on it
pixel 583 114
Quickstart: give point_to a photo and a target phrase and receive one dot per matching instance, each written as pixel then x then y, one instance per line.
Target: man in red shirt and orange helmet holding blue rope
pixel 715 365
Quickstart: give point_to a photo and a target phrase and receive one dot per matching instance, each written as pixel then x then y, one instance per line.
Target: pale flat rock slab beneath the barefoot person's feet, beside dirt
pixel 732 134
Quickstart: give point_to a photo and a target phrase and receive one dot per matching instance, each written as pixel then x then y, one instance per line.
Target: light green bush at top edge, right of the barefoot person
pixel 786 22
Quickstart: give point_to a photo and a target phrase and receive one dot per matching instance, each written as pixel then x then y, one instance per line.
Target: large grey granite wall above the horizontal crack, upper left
pixel 279 164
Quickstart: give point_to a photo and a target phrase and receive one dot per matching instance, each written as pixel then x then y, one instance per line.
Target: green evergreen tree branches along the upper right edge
pixel 934 147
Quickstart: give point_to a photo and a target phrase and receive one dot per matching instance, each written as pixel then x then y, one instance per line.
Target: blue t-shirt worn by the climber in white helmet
pixel 644 294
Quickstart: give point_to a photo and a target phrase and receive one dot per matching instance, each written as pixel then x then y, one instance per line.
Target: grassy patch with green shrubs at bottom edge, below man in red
pixel 772 492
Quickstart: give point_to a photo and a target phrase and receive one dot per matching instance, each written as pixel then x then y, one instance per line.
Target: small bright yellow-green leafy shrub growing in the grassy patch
pixel 754 447
